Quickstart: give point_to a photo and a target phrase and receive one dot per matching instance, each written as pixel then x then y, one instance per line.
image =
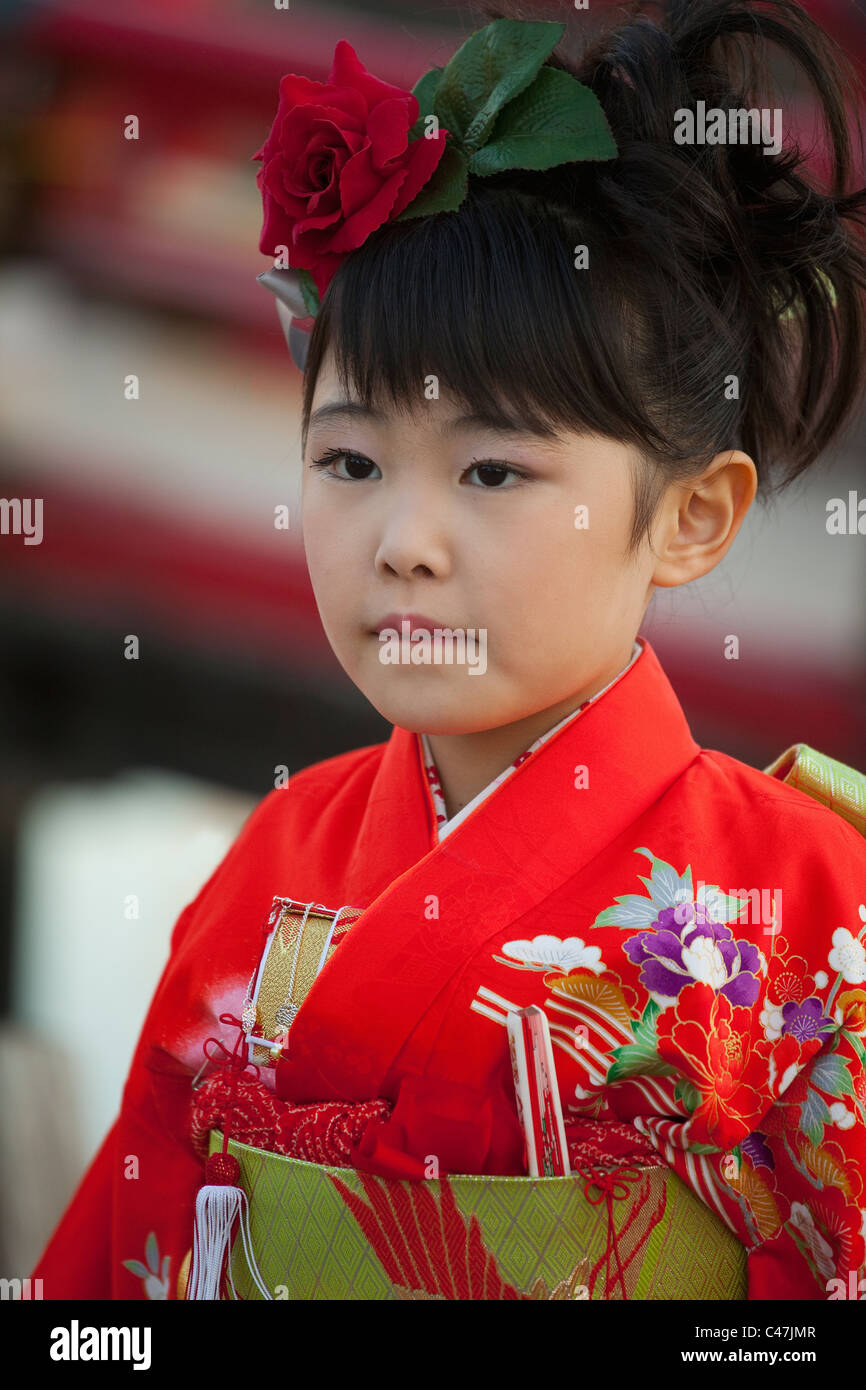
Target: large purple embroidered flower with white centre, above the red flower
pixel 683 945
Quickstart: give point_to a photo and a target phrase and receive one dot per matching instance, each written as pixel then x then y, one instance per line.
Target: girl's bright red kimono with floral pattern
pixel 605 881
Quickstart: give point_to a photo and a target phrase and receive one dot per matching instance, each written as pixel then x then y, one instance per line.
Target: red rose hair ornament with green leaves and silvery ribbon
pixel 352 154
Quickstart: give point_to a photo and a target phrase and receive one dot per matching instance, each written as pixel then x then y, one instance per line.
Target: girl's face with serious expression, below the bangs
pixel 472 526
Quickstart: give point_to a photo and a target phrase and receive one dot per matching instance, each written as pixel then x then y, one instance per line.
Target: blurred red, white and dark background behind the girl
pixel 124 782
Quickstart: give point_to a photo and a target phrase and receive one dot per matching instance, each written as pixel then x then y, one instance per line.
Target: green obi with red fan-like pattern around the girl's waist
pixel 337 1234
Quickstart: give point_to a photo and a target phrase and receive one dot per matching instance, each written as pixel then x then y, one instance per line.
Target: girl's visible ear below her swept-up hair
pixel 700 519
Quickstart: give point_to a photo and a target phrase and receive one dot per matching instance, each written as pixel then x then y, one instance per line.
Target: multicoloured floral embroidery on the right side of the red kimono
pixel 760 1054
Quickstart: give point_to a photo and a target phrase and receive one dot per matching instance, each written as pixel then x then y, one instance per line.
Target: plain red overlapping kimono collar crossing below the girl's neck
pixel 561 808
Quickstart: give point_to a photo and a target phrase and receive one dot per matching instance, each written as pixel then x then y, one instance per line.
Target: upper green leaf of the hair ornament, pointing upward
pixel 493 67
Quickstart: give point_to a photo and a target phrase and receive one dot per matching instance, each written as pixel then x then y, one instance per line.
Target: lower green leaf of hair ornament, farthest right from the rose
pixel 554 122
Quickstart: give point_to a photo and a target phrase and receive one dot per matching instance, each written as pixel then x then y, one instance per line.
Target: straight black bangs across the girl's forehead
pixel 489 301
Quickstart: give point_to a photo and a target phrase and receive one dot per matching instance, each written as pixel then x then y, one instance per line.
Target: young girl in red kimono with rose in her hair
pixel 568 323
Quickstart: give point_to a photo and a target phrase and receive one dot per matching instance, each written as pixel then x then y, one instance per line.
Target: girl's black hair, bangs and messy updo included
pixel 707 262
